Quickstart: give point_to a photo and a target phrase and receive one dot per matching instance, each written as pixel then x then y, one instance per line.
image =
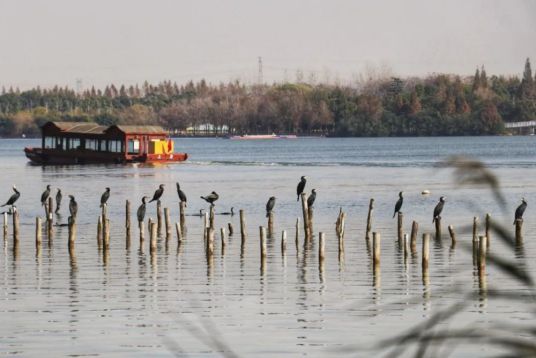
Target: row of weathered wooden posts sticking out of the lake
pixel 480 243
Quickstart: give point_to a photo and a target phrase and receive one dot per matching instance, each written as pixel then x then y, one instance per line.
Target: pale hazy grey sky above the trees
pixel 128 41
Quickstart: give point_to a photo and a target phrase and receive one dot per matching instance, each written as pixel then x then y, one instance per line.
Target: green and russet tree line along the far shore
pixel 435 105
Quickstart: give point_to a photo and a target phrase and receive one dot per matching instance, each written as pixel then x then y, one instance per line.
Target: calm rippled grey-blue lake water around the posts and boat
pixel 130 303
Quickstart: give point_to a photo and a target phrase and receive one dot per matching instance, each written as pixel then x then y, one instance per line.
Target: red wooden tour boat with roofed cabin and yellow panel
pixel 82 142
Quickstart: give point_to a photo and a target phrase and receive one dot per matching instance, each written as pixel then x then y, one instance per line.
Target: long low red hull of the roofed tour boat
pixel 58 157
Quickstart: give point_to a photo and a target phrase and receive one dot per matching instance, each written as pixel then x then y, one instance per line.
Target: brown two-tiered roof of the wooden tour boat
pixel 94 128
